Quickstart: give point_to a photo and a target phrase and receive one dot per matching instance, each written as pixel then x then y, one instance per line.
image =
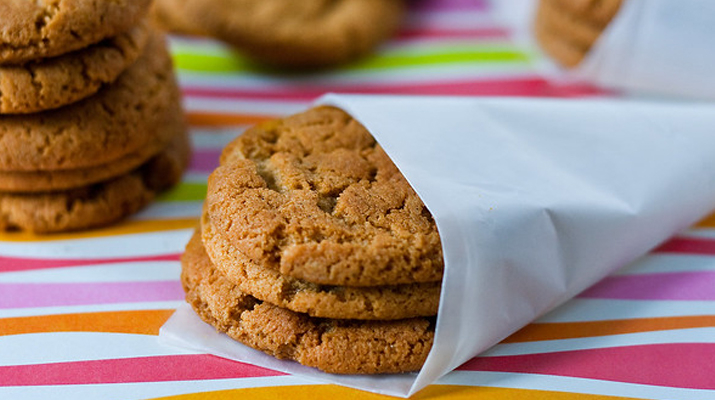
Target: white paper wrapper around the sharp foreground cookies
pixel 535 200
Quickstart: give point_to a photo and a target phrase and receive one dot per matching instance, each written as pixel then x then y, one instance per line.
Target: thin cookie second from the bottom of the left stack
pixel 45 181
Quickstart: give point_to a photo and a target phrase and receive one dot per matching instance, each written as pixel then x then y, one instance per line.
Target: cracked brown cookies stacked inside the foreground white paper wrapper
pixel 313 247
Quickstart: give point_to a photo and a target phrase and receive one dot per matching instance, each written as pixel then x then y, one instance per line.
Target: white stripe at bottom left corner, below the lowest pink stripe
pixel 140 391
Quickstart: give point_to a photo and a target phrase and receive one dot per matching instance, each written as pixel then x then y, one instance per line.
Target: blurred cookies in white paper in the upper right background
pixel 653 47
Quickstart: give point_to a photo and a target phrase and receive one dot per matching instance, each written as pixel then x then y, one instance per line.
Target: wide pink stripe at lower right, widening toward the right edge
pixel 683 365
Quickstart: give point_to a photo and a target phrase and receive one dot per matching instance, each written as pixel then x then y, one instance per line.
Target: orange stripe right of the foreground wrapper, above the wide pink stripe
pixel 570 330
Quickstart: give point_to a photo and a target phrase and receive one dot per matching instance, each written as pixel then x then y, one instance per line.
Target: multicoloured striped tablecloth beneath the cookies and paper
pixel 80 312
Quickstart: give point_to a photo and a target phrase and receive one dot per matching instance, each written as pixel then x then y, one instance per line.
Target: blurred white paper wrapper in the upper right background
pixel 651 47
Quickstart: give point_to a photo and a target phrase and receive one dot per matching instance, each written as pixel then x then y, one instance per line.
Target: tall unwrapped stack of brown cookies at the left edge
pixel 91 125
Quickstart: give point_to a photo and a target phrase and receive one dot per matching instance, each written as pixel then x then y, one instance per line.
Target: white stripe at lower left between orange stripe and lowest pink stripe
pixel 42 348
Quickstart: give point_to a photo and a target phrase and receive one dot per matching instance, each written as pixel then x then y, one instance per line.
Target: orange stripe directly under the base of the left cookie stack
pixel 123 228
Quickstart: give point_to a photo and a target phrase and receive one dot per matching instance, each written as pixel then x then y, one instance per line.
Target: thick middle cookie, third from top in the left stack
pixel 117 121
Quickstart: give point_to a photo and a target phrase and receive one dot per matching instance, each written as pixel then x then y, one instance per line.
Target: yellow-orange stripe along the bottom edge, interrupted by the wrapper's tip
pixel 434 392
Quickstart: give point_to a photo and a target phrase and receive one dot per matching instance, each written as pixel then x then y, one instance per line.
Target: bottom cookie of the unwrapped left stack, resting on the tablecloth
pixel 99 204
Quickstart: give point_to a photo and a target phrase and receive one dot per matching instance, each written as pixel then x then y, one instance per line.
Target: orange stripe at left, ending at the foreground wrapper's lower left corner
pixel 144 322
